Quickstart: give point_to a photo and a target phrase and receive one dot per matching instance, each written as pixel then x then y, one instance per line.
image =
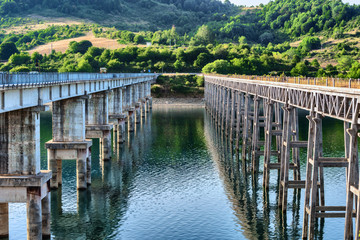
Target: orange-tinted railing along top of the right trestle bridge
pixel 323 81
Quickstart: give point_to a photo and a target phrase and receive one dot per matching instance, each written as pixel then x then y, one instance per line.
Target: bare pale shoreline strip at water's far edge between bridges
pixel 179 102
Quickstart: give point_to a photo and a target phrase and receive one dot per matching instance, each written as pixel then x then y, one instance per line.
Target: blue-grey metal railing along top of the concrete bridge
pixel 28 79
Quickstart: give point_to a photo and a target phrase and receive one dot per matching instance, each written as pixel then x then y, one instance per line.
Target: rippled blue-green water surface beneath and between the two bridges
pixel 177 177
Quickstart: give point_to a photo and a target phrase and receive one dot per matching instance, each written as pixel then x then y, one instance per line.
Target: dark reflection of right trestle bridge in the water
pixel 256 210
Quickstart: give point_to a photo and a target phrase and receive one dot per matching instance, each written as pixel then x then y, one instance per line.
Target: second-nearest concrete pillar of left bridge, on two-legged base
pixel 68 139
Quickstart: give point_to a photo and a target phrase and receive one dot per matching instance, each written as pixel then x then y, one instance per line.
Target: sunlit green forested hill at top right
pixel 285 20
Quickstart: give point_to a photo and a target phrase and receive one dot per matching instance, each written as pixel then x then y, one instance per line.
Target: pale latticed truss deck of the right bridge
pixel 335 102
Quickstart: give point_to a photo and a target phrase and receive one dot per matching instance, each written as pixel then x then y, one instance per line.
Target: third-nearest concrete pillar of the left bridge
pixel 97 122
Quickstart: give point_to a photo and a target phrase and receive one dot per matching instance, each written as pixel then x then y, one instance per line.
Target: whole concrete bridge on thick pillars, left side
pixel 84 106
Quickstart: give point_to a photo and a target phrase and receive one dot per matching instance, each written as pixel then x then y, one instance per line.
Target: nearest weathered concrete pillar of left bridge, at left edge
pixel 21 179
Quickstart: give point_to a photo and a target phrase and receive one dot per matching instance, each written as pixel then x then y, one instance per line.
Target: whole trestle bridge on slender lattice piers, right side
pixel 236 104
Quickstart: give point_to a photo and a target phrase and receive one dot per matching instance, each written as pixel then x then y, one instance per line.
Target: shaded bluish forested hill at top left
pixel 132 15
